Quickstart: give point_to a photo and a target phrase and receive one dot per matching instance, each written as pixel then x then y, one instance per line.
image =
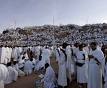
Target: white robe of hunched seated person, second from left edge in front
pixel 12 76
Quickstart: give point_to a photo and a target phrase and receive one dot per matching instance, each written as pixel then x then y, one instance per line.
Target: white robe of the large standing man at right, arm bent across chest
pixel 95 70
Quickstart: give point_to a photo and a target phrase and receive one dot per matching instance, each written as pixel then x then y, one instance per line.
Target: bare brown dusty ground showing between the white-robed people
pixel 29 81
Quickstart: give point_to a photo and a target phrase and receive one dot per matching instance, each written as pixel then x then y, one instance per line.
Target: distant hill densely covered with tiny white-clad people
pixel 52 34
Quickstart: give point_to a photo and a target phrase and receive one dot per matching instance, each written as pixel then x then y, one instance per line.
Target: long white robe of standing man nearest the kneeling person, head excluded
pixel 62 76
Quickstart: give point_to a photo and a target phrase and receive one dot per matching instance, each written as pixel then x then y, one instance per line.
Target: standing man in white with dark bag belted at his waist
pixel 81 67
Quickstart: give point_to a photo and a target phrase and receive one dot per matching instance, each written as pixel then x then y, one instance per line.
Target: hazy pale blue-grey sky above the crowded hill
pixel 40 12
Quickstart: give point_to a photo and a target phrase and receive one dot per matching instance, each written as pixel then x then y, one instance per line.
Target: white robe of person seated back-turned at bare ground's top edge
pixel 28 67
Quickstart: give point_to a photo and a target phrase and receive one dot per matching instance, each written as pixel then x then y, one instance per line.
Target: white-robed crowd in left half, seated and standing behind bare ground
pixel 21 61
